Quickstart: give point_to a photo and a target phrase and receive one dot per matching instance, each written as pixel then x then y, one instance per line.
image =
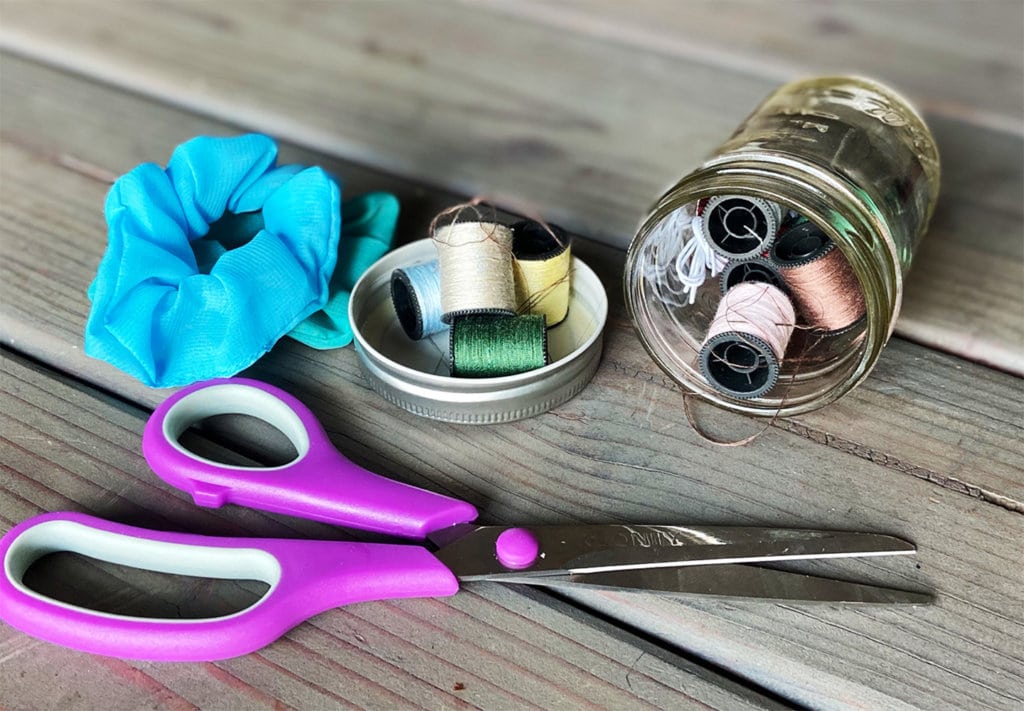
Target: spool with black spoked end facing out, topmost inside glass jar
pixel 741 228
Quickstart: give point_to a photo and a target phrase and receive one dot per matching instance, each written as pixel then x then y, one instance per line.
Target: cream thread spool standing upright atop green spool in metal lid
pixel 477 270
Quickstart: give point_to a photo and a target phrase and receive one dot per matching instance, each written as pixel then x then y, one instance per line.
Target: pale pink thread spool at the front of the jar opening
pixel 743 352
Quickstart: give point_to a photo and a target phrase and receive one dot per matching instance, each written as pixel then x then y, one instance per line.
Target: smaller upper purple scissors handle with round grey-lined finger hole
pixel 321 484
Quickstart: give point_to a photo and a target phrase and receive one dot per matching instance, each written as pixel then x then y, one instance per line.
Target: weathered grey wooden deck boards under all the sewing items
pixel 581 112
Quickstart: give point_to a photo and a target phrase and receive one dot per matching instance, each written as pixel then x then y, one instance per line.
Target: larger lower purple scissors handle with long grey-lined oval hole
pixel 306 578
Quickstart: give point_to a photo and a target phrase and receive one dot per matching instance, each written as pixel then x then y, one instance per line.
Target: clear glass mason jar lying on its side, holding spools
pixel 855 159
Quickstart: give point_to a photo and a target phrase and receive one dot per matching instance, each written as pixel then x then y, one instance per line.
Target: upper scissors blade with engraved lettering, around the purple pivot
pixel 579 550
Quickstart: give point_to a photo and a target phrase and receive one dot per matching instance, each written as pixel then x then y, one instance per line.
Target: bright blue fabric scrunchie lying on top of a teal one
pixel 170 315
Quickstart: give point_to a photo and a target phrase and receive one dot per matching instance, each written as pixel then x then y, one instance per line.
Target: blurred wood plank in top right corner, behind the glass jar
pixel 709 33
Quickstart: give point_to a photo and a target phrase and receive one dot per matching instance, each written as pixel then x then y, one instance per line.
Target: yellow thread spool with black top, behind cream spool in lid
pixel 543 261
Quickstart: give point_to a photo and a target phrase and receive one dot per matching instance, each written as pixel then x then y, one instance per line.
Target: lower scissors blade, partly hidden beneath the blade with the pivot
pixel 738 582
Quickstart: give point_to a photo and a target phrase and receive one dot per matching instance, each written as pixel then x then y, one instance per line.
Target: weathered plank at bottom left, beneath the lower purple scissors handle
pixel 67 447
